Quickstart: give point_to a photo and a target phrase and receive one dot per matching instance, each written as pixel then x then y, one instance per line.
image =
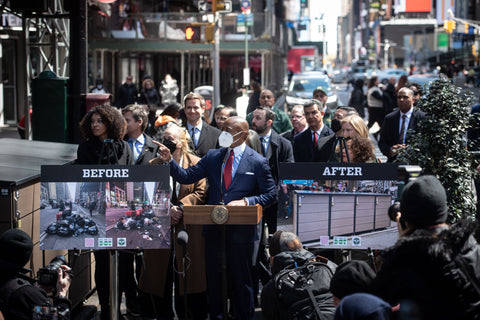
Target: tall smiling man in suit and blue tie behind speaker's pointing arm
pixel 204 136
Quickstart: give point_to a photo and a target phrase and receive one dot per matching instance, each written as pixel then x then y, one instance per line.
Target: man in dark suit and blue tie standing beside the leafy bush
pixel 394 130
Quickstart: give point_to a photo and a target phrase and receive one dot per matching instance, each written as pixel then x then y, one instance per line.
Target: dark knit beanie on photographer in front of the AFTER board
pixel 424 202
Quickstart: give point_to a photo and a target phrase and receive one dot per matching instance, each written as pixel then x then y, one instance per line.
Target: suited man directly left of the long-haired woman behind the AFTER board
pixel 305 142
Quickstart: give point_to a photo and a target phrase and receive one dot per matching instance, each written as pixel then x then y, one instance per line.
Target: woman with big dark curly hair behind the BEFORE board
pixel 99 124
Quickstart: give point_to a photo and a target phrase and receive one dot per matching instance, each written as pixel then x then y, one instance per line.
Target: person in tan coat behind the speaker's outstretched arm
pixel 157 275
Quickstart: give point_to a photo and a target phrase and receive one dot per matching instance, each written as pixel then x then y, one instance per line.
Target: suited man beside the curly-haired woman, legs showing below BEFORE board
pixel 144 150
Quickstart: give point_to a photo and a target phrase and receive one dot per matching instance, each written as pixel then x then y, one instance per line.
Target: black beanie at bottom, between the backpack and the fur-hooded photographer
pixel 351 277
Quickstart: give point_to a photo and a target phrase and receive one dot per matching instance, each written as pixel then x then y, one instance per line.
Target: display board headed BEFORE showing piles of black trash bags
pixel 104 207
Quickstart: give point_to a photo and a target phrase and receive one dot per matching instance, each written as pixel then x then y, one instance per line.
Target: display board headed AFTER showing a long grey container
pixel 337 205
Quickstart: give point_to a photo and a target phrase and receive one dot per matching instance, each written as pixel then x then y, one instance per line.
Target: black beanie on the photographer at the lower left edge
pixel 16 246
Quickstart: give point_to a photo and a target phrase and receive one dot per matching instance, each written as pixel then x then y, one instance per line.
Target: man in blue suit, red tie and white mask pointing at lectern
pixel 237 176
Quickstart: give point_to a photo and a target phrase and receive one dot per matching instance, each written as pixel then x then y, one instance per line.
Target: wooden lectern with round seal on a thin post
pixel 222 215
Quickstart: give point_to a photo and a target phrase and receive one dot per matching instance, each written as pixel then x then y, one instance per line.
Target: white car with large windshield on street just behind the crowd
pixel 302 86
